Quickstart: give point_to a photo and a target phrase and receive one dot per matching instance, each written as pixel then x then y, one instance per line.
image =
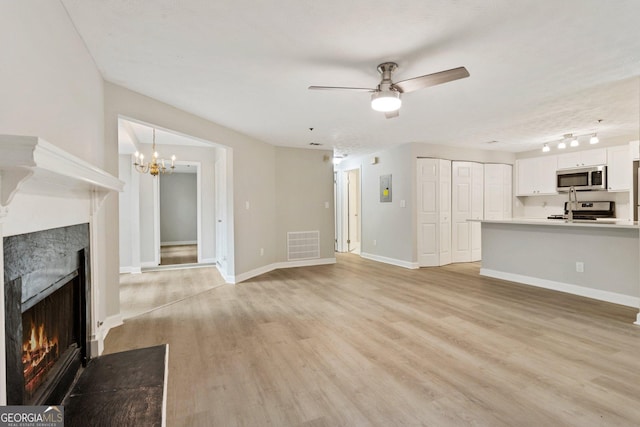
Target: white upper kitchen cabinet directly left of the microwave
pixel 536 176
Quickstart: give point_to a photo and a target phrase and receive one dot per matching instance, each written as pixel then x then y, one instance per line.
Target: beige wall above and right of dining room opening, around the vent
pixel 263 181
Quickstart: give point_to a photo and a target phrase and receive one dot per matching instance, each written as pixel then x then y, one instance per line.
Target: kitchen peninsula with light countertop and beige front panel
pixel 595 259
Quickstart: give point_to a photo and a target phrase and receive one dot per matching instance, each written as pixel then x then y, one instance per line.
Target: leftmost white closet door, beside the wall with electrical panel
pixel 434 212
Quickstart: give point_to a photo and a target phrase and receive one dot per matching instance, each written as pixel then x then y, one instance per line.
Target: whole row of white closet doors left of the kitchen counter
pixel 449 194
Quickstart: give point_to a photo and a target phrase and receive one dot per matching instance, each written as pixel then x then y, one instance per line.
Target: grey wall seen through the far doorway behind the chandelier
pixel 178 208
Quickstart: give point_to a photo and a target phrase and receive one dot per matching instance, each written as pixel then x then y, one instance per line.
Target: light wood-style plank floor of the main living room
pixel 361 343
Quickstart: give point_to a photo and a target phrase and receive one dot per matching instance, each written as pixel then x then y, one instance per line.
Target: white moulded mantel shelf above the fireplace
pixel 31 165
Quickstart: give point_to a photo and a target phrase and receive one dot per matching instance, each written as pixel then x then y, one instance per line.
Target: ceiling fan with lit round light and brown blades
pixel 386 96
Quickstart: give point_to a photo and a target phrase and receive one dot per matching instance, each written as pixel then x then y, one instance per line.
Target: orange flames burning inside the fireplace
pixel 39 353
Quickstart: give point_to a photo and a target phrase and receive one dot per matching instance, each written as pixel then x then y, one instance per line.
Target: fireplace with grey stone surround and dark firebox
pixel 46 315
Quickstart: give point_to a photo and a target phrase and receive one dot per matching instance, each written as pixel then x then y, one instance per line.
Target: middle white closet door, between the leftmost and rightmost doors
pixel 467 202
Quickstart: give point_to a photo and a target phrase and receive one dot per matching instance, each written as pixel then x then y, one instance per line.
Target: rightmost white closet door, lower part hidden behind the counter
pixel 498 191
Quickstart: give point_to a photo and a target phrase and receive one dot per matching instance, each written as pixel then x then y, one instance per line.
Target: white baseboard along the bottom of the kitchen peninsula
pixel 583 291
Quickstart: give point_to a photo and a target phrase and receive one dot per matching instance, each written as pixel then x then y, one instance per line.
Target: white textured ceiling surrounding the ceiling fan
pixel 539 69
